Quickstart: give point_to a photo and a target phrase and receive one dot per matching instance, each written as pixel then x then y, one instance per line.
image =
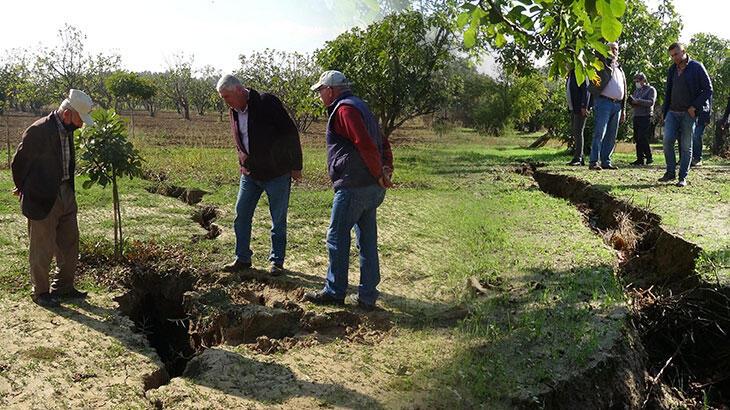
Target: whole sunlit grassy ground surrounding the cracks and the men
pixel 551 310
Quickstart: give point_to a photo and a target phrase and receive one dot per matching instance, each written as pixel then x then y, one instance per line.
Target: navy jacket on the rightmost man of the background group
pixel 699 85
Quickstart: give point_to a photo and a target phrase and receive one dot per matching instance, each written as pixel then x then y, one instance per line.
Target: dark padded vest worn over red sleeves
pixel 344 163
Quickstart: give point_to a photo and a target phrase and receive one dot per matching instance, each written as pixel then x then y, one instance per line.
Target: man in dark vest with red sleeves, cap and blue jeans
pixel 360 165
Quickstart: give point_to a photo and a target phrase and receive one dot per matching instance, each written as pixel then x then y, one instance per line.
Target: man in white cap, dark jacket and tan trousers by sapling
pixel 43 173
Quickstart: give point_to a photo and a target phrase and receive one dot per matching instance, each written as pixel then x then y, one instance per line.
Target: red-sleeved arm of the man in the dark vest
pixel 351 125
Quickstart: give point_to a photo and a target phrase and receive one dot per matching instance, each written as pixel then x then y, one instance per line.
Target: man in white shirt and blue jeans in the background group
pixel 609 111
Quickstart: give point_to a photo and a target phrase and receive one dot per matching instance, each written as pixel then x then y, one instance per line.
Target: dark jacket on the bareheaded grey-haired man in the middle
pixel 273 138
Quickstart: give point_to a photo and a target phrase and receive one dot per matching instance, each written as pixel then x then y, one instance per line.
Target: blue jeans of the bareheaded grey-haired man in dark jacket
pixel 277 190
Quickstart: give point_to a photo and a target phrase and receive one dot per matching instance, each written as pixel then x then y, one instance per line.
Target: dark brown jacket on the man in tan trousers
pixel 37 168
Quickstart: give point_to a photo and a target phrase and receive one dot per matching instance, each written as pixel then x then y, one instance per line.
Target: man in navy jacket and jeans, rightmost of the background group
pixel 687 99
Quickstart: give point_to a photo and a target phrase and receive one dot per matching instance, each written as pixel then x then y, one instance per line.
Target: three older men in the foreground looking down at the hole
pixel 359 163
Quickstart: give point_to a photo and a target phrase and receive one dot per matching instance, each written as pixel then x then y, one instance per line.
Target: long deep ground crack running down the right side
pixel 681 317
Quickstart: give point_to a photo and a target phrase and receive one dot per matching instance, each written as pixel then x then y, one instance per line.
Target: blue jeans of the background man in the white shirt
pixel 608 115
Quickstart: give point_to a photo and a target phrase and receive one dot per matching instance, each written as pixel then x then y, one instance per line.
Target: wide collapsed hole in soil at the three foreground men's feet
pixel 183 310
